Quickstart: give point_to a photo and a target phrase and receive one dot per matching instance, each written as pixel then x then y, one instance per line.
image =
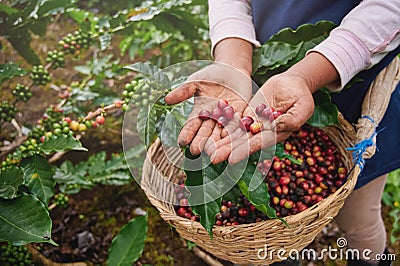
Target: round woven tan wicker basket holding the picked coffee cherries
pixel 241 244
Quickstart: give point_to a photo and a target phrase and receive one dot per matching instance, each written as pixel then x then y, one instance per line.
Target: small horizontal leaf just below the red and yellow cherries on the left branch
pixel 62 143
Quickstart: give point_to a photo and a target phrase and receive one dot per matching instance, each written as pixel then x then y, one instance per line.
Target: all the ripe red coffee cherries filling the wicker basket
pixel 293 187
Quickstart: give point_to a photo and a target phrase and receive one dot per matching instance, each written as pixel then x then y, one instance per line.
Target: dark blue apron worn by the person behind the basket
pixel 272 16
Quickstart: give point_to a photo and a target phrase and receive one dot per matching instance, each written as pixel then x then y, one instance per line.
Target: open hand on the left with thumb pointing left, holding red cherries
pixel 209 85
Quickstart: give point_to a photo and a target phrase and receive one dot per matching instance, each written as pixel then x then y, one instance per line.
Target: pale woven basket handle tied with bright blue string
pixel 373 109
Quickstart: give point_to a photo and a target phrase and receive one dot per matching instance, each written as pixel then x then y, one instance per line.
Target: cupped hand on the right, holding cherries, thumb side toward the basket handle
pixel 291 95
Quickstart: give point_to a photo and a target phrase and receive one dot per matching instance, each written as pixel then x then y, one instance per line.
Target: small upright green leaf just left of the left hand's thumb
pixel 146 124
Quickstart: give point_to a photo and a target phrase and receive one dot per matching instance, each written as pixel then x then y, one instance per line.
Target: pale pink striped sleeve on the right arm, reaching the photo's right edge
pixel 368 33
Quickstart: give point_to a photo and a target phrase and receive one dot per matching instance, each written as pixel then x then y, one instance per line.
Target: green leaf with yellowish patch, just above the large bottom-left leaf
pixel 39 177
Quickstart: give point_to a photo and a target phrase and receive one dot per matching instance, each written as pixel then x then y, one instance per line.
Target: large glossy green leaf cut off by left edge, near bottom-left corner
pixel 24 220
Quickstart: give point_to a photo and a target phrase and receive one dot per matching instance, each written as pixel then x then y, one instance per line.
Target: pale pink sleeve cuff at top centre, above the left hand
pixel 231 18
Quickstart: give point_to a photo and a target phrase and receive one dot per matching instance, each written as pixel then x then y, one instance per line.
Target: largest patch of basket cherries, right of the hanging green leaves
pixel 296 187
